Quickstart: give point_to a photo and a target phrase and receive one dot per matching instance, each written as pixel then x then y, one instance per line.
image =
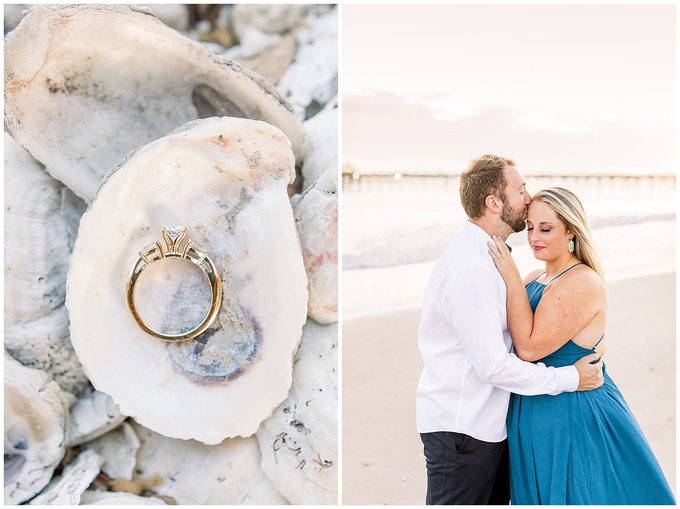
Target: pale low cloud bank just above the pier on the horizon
pixel 402 134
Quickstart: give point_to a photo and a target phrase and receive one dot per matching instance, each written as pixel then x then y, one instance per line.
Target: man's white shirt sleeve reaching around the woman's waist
pixel 471 304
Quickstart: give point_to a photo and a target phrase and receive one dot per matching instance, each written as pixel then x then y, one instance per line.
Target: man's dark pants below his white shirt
pixel 464 470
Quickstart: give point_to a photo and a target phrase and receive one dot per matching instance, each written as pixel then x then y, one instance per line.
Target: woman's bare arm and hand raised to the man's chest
pixel 564 310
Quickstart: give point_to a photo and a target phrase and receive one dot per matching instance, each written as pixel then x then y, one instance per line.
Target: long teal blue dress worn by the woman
pixel 579 447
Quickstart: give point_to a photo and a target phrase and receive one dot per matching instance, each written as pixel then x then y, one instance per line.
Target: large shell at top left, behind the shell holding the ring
pixel 69 77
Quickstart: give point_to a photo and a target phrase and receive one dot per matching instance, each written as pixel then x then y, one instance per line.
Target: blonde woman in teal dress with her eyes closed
pixel 577 447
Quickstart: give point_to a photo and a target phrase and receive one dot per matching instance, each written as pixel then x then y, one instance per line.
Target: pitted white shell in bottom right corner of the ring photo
pixel 299 443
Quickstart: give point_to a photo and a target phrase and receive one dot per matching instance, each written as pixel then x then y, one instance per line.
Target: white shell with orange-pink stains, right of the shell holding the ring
pixel 316 217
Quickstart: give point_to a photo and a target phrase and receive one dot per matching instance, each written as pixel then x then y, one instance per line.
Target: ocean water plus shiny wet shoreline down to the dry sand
pixel 393 232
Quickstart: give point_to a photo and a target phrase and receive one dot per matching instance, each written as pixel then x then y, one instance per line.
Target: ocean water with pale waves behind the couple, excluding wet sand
pixel 388 222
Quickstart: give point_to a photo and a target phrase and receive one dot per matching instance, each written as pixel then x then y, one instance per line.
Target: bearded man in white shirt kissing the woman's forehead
pixel 469 370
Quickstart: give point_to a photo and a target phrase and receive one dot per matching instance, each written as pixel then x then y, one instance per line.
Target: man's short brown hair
pixel 483 176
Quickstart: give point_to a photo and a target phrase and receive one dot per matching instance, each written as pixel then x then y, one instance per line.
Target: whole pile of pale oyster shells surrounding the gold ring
pixel 120 120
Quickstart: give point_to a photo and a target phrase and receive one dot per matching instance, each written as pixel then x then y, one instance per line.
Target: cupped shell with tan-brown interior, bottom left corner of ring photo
pixel 35 429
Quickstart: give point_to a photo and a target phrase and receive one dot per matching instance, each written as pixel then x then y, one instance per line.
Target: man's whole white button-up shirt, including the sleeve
pixel 463 338
